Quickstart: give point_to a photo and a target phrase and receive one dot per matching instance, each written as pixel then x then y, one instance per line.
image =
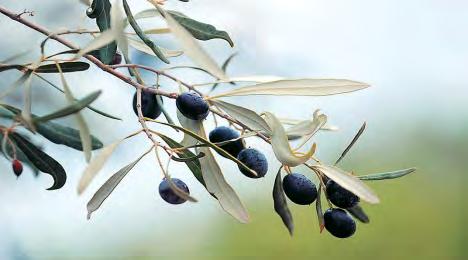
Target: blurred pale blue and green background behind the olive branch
pixel 414 55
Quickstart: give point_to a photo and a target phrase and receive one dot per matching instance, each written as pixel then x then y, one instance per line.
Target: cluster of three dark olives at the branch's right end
pixel 300 190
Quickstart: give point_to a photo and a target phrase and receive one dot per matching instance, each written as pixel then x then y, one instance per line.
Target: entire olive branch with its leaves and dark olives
pixel 194 103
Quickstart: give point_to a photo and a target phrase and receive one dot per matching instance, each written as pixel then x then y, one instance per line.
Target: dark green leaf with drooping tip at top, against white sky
pixel 199 30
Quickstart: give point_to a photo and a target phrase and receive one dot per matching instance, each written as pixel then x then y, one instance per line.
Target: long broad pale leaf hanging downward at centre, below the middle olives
pixel 213 177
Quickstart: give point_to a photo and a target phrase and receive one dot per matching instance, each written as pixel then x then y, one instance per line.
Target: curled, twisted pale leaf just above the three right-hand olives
pixel 280 144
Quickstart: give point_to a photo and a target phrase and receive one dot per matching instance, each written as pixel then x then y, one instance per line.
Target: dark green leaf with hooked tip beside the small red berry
pixel 41 160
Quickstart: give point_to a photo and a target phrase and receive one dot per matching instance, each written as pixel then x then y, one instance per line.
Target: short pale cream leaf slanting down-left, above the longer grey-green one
pixel 96 165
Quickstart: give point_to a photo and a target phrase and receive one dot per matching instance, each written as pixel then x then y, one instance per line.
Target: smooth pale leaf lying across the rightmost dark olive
pixel 349 182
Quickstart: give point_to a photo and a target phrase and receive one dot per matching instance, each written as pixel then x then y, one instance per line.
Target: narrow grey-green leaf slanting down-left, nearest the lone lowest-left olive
pixel 106 189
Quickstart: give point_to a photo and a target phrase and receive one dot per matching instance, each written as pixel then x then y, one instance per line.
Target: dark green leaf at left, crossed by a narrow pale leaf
pixel 65 135
